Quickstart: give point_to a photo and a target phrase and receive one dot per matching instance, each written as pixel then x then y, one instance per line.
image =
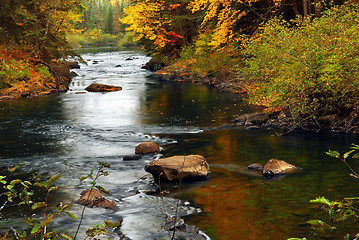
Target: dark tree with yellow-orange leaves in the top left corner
pixel 40 25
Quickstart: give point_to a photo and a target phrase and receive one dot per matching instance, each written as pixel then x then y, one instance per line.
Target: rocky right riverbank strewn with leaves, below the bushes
pixel 279 120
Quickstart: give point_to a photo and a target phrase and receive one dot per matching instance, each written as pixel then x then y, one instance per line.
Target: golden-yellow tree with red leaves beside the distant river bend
pixel 168 25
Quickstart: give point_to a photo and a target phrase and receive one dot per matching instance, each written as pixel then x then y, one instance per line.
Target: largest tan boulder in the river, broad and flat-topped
pixel 179 168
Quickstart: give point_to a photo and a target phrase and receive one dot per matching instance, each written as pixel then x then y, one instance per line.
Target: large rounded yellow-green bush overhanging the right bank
pixel 310 66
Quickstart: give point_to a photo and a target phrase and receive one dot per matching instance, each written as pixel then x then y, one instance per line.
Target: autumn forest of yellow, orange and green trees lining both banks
pixel 296 56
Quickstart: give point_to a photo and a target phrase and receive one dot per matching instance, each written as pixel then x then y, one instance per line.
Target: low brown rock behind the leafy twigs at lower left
pixel 93 197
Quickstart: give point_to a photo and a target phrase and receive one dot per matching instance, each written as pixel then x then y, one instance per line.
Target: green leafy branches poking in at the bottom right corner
pixel 338 211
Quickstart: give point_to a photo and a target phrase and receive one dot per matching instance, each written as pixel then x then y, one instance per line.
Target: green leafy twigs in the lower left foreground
pixel 20 192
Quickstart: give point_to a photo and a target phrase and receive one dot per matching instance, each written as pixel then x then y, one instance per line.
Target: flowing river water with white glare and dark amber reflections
pixel 69 133
